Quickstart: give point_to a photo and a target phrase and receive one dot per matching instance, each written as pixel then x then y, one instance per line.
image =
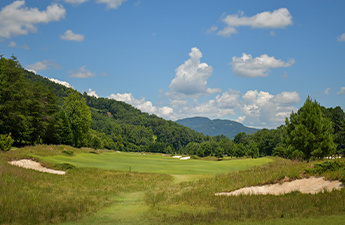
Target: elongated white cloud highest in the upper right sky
pixel 279 18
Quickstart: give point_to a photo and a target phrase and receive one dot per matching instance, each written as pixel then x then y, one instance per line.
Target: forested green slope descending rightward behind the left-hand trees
pixel 112 119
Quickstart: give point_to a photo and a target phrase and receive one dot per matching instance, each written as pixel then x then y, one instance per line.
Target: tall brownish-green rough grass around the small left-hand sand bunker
pixel 31 197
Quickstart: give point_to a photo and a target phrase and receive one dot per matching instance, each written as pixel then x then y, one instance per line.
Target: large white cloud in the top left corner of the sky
pixel 16 19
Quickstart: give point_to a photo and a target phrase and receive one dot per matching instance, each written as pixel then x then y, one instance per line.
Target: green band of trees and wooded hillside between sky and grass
pixel 35 110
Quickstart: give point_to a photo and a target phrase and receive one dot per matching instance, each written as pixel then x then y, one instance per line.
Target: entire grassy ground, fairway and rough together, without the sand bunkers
pixel 105 196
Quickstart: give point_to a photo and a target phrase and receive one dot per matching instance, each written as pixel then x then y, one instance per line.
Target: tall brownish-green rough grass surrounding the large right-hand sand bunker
pixel 200 205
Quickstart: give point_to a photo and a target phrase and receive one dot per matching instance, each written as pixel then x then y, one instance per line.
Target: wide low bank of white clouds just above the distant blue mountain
pixel 254 108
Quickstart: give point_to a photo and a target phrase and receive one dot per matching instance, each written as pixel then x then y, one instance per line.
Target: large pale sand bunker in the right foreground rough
pixel 311 185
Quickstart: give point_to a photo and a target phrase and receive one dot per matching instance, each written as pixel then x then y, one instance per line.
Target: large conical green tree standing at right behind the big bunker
pixel 309 134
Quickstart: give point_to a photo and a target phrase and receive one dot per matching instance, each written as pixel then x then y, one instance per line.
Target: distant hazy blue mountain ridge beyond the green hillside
pixel 215 127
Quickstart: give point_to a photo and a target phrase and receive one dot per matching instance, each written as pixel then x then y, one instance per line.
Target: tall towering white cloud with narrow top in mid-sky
pixel 191 78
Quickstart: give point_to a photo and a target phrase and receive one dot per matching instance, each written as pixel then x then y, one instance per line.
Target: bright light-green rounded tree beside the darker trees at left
pixel 79 117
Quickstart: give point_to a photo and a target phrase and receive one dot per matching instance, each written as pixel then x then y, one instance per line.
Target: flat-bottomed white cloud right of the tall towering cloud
pixel 247 66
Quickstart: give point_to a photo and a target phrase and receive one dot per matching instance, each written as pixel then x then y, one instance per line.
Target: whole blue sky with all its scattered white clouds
pixel 254 62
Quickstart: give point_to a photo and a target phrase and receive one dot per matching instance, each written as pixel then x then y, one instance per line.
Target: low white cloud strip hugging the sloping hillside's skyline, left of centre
pixel 142 104
